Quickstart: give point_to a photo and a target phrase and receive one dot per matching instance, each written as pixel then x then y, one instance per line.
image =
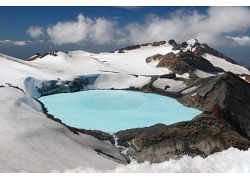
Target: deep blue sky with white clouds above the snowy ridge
pixel 98 29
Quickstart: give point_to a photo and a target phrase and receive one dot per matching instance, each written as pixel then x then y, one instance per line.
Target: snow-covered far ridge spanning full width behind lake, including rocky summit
pixel 125 63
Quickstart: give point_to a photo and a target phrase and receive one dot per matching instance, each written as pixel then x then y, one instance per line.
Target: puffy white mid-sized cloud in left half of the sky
pixel 98 30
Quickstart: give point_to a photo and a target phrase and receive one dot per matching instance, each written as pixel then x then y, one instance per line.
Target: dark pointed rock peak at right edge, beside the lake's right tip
pixel 229 92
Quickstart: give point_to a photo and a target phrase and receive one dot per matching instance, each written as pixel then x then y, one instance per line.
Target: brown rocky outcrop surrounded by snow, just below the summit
pixel 186 62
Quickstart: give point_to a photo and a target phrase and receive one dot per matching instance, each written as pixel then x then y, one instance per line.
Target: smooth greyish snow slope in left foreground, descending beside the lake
pixel 29 141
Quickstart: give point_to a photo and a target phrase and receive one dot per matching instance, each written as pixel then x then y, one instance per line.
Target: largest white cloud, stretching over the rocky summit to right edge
pixel 182 25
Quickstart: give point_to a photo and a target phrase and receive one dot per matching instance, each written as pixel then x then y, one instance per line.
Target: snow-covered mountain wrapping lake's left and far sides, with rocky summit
pixel 30 141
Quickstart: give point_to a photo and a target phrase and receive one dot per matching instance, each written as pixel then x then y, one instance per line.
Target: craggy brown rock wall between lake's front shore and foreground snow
pixel 202 136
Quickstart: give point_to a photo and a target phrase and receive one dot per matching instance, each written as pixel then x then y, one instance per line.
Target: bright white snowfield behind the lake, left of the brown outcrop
pixel 67 66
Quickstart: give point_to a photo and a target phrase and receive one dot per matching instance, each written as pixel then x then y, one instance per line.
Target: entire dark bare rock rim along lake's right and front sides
pixel 225 122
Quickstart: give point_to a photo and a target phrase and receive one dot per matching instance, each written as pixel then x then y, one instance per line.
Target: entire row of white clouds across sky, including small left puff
pixel 216 26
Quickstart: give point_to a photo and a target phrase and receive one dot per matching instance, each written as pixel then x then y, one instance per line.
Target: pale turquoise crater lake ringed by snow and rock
pixel 114 110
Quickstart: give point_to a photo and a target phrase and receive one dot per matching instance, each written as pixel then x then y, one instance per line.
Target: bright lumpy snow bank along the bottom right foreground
pixel 231 160
